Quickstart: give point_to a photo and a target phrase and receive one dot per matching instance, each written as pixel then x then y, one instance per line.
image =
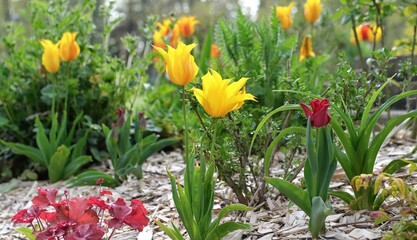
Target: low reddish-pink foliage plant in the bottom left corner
pixel 80 218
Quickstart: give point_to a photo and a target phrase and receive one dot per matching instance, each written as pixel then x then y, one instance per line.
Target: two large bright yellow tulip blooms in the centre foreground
pixel 218 96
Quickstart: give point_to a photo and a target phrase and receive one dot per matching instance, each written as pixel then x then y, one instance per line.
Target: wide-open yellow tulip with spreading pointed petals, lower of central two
pixel 218 97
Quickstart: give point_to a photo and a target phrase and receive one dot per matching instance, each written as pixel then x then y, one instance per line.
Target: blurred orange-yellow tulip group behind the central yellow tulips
pixel 170 32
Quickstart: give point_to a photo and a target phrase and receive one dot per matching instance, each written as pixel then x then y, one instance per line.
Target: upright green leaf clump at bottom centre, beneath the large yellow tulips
pixel 194 203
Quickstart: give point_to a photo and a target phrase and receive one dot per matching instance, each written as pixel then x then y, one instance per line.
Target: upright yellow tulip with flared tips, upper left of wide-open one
pixel 180 64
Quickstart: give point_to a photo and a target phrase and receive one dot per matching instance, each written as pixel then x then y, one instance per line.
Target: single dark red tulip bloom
pixel 319 117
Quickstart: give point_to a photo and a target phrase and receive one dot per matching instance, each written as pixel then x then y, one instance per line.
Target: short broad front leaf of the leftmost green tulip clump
pixel 57 164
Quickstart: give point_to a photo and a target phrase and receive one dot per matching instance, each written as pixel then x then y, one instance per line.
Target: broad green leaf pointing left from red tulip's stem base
pixel 297 195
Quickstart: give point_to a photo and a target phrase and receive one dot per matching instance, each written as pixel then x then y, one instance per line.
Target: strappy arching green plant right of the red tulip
pixel 360 150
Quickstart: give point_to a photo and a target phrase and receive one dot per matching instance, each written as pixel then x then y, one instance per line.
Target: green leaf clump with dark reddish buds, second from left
pixel 127 151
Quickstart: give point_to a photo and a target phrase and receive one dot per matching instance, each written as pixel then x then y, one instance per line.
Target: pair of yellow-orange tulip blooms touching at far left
pixel 66 49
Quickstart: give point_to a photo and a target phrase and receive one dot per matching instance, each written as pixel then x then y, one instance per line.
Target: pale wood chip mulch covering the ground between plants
pixel 276 219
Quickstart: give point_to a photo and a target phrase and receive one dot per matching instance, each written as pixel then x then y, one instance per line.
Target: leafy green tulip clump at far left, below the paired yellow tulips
pixel 56 150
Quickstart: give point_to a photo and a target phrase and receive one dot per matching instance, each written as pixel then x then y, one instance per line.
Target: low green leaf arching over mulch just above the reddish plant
pixel 90 177
